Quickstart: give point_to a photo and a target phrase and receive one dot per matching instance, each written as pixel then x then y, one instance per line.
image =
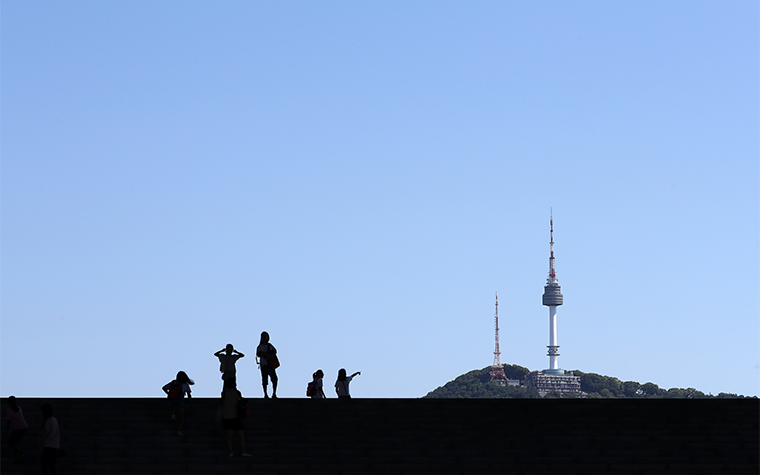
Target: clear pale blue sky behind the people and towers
pixel 360 178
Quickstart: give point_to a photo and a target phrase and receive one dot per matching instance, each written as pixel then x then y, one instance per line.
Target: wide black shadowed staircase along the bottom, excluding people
pixel 446 436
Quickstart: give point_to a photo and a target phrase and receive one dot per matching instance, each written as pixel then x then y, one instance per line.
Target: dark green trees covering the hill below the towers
pixel 476 384
